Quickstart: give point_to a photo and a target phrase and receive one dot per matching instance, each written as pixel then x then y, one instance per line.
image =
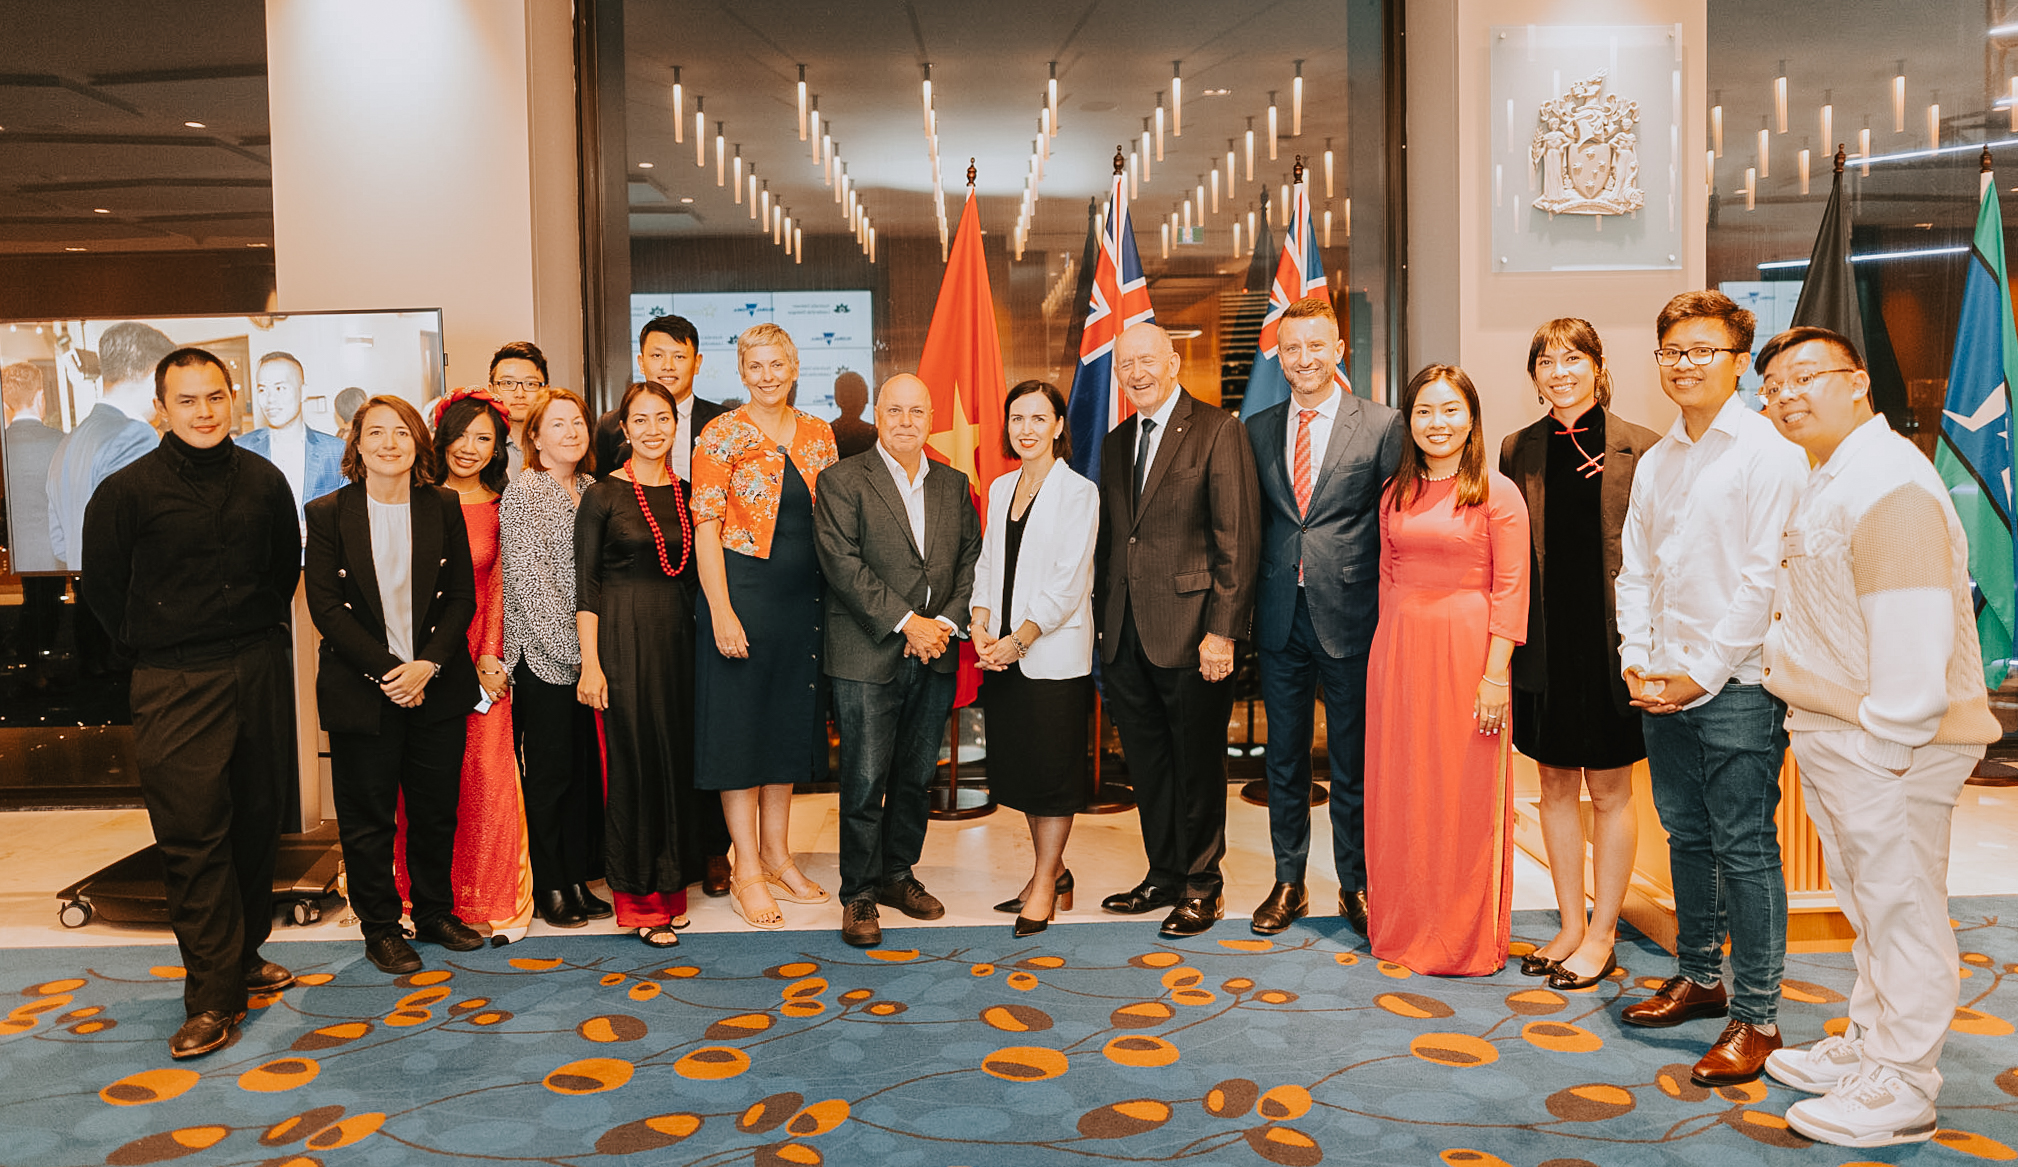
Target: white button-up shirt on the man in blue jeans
pixel 1702 546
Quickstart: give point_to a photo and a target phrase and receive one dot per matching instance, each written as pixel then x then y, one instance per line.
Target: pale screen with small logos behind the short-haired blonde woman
pixel 834 332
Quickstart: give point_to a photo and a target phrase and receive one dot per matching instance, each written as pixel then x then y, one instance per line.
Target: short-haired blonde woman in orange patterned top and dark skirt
pixel 760 722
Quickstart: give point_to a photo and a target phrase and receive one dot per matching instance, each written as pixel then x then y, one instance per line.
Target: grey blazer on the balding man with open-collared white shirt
pixel 875 570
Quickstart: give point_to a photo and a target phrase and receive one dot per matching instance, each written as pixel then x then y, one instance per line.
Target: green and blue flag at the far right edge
pixel 1975 453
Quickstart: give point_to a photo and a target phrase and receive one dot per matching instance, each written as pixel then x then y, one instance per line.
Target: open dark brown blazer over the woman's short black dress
pixel 1525 459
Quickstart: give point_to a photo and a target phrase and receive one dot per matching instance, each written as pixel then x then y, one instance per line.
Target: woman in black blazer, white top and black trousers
pixel 393 593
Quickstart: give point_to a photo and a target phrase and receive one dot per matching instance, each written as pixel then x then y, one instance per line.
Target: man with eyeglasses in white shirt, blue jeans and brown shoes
pixel 1694 599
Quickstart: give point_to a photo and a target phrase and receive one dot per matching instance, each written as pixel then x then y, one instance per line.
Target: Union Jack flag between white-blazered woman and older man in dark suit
pixel 1121 298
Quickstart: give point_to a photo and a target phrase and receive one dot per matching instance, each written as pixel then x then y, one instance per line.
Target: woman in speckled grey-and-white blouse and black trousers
pixel 556 734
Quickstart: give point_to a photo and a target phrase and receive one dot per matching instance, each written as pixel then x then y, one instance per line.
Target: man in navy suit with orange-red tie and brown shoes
pixel 1323 457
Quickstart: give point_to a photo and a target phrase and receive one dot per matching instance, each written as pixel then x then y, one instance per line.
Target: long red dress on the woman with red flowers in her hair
pixel 491 873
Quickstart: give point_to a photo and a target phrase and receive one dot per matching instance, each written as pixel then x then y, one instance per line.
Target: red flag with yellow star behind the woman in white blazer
pixel 964 366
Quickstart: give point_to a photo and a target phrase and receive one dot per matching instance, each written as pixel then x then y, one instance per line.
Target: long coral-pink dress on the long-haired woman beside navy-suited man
pixel 1440 859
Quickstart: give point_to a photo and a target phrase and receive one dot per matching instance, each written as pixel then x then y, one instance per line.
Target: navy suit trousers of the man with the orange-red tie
pixel 1291 681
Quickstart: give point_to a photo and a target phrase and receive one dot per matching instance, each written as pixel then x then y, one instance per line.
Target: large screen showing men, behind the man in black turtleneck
pixel 80 403
